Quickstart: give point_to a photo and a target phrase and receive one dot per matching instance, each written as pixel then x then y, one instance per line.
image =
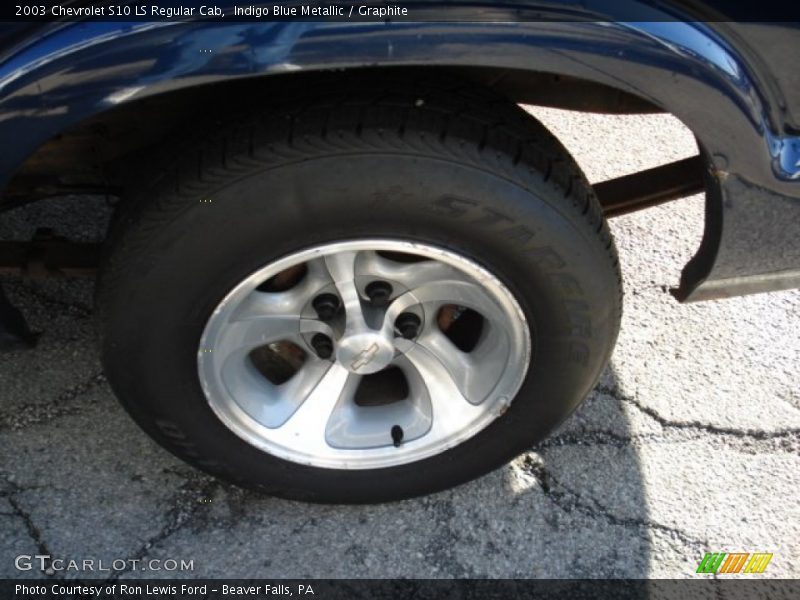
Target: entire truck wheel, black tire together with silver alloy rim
pixel 362 297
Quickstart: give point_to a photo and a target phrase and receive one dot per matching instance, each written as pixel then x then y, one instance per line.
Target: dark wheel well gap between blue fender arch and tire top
pixel 95 156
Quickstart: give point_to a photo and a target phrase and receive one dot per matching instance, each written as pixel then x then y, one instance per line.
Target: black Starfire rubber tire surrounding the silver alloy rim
pixel 447 165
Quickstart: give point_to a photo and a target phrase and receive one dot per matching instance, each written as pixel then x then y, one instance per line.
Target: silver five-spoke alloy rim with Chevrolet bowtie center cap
pixel 364 354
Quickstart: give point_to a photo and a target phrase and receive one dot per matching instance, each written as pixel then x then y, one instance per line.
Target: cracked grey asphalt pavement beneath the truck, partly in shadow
pixel 688 444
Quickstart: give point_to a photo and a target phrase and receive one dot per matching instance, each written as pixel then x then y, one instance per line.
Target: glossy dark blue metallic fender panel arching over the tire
pixel 717 88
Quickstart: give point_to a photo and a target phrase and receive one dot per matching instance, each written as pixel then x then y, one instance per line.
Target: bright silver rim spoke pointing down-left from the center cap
pixel 305 428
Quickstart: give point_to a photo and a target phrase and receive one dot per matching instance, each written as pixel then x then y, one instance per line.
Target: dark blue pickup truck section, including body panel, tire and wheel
pixel 345 265
